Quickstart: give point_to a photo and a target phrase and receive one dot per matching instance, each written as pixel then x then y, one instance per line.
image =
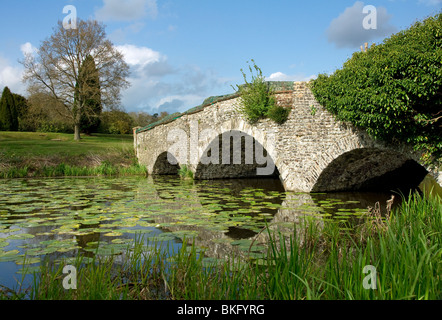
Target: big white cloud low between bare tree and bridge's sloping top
pixel 158 86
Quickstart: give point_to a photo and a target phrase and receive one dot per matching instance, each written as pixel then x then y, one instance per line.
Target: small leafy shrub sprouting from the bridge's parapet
pixel 257 98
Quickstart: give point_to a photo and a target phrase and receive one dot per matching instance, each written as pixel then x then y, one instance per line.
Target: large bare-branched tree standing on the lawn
pixel 55 69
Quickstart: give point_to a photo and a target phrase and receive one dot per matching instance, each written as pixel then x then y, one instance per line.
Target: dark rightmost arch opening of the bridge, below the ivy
pixel 370 169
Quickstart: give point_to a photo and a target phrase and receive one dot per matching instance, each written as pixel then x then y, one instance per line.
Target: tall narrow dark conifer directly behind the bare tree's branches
pixel 90 116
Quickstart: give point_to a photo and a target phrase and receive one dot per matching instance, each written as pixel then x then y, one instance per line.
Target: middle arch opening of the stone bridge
pixel 234 154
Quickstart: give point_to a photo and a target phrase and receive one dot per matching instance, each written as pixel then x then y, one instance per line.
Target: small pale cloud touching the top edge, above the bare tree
pixel 127 10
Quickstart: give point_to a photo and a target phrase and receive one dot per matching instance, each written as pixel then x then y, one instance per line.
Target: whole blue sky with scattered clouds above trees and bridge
pixel 181 52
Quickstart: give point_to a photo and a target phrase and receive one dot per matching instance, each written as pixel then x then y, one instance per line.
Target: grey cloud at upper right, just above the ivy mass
pixel 347 30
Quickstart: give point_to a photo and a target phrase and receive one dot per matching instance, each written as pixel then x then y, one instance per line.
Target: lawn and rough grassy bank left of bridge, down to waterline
pixel 25 154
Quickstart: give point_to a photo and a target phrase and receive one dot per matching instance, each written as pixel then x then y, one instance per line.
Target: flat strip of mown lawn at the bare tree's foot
pixel 45 144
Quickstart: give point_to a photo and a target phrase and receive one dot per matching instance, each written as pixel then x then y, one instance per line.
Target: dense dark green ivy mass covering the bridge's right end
pixel 394 90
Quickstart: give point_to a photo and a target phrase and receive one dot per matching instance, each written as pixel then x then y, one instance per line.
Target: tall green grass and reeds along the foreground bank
pixel 405 248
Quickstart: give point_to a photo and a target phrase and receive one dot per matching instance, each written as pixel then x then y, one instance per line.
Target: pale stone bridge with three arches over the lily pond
pixel 310 152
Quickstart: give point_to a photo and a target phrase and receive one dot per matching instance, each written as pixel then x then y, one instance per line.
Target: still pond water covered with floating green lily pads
pixel 60 218
